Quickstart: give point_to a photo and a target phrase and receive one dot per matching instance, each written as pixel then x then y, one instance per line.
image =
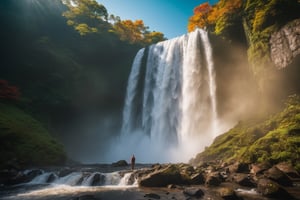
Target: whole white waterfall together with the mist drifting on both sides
pixel 181 94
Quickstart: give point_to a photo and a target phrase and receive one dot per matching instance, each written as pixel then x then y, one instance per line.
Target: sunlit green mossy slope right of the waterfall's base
pixel 275 139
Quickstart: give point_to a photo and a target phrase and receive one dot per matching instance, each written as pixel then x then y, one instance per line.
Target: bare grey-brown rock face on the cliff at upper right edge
pixel 285 44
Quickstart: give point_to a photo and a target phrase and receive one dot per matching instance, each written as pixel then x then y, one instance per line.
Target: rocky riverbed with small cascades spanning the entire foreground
pixel 215 181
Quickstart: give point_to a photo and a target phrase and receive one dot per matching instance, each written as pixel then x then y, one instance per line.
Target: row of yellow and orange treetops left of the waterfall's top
pixel 89 17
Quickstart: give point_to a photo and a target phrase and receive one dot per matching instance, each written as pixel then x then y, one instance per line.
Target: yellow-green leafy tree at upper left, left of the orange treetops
pixel 86 16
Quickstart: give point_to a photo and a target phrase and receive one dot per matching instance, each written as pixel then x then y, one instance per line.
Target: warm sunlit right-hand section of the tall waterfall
pixel 199 110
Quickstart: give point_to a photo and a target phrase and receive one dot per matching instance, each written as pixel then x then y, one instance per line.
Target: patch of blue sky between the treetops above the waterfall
pixel 167 16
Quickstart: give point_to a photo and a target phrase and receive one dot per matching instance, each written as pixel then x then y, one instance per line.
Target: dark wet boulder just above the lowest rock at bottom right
pixel 278 176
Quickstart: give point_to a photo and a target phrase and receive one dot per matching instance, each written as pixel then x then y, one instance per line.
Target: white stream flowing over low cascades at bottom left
pixel 63 184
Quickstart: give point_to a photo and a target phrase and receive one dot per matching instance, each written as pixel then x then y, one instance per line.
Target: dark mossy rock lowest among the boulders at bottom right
pixel 272 189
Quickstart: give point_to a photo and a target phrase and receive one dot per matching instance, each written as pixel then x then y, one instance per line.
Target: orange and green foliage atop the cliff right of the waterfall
pixel 253 20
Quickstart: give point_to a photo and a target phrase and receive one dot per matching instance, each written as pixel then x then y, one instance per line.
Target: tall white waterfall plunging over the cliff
pixel 171 99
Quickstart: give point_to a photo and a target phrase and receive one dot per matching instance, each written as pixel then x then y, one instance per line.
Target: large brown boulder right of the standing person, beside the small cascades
pixel 162 177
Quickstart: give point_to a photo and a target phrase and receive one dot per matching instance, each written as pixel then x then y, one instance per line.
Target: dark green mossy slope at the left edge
pixel 24 141
